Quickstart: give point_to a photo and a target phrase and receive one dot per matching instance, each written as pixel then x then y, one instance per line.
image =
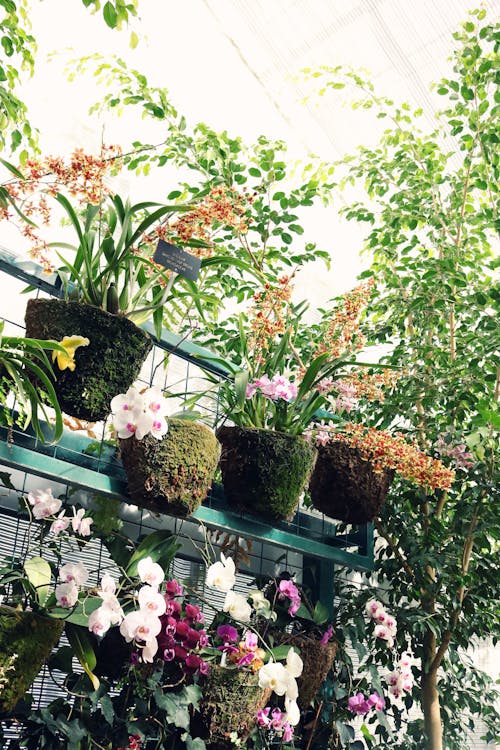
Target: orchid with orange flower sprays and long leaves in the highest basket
pixel 110 263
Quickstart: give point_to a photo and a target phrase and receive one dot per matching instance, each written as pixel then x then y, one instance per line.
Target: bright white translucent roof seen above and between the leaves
pixel 232 64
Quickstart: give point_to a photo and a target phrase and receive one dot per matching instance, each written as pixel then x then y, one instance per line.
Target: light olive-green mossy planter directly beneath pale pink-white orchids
pixel 172 475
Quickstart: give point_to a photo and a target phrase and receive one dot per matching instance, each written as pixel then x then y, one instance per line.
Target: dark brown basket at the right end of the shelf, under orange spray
pixel 345 486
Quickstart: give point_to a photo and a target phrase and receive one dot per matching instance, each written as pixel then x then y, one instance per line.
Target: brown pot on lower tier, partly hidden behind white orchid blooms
pixel 317 658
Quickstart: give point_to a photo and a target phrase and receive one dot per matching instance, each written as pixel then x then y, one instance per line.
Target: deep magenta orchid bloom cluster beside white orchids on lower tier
pixel 182 635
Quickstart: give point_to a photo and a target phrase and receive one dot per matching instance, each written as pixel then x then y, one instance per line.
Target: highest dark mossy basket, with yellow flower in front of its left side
pixel 106 367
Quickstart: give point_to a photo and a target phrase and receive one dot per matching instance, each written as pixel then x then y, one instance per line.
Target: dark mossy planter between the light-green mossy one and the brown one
pixel 263 471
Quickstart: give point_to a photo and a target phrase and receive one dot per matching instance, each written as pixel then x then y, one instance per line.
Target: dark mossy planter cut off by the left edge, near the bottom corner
pixel 26 640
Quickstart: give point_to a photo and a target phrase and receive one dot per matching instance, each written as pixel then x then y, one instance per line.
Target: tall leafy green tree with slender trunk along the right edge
pixel 432 224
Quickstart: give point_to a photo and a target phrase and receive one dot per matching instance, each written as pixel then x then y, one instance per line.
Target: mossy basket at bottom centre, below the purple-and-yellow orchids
pixel 229 705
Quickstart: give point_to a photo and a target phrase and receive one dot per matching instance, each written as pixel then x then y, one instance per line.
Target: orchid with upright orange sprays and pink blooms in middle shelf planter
pixel 283 375
